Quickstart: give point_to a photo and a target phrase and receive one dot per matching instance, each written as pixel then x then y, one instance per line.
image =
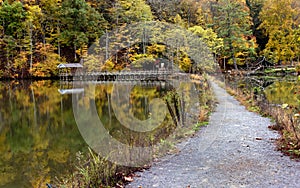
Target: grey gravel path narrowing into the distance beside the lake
pixel 236 149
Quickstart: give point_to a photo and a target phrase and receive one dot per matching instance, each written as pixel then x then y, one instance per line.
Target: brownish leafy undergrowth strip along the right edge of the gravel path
pixel 286 120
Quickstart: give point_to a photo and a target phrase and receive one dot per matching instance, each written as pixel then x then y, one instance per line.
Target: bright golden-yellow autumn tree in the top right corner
pixel 279 21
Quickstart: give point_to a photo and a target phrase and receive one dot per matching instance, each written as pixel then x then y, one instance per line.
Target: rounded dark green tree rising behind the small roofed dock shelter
pixel 81 24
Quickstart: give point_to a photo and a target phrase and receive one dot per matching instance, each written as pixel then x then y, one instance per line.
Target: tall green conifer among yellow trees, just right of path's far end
pixel 232 23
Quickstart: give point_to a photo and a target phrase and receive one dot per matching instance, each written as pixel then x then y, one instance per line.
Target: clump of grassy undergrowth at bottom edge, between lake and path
pixel 95 171
